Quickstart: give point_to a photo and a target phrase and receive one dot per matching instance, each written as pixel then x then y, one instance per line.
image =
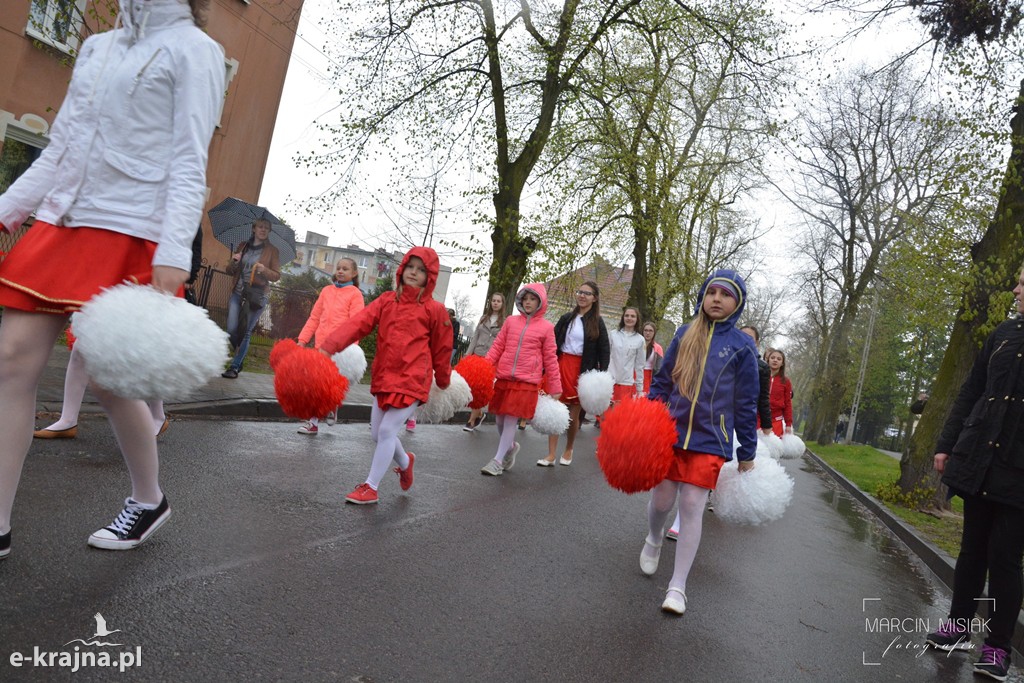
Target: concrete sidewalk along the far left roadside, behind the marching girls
pixel 251 396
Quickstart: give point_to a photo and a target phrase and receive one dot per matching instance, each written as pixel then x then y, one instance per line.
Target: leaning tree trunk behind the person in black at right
pixel 997 261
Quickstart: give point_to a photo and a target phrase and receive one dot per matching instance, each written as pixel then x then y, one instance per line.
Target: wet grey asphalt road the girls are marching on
pixel 264 573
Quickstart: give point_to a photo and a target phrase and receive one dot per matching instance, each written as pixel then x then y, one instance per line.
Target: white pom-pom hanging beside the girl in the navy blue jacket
pixel 755 497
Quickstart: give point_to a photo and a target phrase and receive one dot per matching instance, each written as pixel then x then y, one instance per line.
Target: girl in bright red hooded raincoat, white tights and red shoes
pixel 414 337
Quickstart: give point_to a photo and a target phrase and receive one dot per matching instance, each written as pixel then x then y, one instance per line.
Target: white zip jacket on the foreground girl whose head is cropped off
pixel 129 149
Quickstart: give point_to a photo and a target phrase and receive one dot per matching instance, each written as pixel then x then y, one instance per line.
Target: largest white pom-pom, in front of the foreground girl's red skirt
pixel 139 343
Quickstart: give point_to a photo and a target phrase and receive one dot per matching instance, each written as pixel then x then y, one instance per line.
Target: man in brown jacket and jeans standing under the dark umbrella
pixel 255 266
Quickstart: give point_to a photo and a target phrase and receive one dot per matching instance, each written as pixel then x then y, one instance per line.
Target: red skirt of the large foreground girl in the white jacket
pixel 55 270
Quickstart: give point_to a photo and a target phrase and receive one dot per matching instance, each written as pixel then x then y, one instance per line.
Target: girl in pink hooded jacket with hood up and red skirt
pixel 523 353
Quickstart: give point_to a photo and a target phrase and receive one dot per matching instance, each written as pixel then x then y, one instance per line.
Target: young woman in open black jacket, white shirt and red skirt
pixel 582 344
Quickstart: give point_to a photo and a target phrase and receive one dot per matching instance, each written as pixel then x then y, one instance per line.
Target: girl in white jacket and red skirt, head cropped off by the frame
pixel 117 196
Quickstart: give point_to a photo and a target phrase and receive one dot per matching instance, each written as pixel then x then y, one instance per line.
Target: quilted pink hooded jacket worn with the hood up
pixel 525 349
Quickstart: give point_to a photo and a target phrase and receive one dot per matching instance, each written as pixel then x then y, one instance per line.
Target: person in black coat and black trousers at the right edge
pixel 982 457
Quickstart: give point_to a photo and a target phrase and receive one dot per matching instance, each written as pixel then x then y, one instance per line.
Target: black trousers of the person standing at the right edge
pixel 993 544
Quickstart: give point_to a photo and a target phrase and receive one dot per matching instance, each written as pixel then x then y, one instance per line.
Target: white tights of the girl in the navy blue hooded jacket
pixel 692 505
